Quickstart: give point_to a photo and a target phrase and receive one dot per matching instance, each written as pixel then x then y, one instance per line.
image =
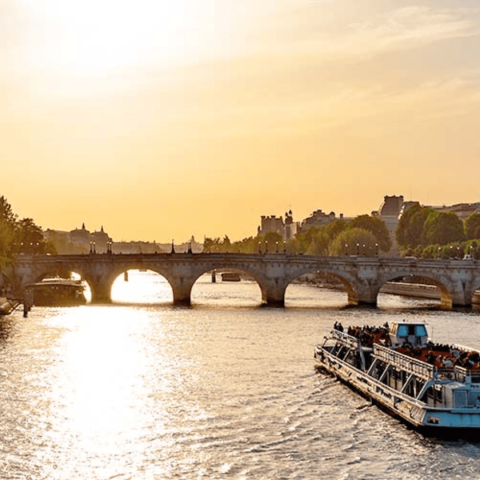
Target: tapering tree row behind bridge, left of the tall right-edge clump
pixel 364 235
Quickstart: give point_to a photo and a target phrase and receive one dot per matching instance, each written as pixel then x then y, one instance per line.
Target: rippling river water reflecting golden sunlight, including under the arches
pixel 225 389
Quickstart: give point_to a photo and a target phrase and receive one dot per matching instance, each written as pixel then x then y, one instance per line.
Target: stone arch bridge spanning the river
pixel 363 277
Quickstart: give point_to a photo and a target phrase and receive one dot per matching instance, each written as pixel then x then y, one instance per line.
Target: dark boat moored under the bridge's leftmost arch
pixel 57 292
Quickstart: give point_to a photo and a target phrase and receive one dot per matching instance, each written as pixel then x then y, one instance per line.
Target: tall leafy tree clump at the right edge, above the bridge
pixel 427 233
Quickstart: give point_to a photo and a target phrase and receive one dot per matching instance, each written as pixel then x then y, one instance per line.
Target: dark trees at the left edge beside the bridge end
pixel 19 236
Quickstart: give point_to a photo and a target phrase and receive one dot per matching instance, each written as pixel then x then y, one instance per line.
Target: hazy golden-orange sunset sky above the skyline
pixel 166 119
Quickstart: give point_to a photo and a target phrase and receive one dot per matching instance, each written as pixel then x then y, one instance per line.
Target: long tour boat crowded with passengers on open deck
pixel 434 388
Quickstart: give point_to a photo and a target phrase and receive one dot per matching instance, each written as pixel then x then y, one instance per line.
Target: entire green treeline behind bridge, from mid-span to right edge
pixel 422 232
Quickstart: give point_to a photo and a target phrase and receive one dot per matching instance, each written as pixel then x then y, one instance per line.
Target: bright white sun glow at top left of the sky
pixel 100 37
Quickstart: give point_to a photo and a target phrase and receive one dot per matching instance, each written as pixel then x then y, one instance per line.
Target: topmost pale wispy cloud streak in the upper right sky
pixel 401 29
